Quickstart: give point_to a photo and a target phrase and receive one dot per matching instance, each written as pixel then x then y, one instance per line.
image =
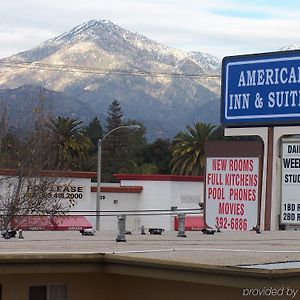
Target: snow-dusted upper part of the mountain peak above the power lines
pixel 103 38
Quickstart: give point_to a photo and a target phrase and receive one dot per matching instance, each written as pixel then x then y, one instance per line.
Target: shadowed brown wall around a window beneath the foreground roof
pixel 99 286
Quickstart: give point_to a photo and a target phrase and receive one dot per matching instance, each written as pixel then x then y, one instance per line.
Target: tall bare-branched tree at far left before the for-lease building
pixel 26 189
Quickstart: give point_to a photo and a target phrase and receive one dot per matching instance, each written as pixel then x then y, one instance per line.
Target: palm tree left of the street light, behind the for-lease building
pixel 69 144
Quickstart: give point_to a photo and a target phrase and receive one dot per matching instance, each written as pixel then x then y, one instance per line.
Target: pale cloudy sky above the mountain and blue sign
pixel 218 27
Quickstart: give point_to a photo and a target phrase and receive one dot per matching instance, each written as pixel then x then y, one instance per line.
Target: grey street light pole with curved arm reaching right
pixel 100 141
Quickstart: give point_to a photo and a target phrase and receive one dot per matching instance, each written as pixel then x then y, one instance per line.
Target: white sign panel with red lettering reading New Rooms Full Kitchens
pixel 231 193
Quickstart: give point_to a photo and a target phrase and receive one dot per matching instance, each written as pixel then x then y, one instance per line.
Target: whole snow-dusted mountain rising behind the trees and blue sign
pixel 98 62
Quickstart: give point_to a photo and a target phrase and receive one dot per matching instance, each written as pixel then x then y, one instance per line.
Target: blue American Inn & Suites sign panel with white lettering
pixel 262 89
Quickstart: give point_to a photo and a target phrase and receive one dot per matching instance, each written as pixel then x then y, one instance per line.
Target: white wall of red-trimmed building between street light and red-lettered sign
pixel 155 195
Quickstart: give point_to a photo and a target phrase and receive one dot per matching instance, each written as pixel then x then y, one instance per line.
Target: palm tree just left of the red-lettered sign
pixel 188 150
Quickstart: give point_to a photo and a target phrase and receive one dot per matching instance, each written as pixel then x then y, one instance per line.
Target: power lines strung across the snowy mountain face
pixel 98 71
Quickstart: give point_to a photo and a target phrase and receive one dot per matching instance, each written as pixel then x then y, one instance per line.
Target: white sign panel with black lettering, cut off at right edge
pixel 290 187
